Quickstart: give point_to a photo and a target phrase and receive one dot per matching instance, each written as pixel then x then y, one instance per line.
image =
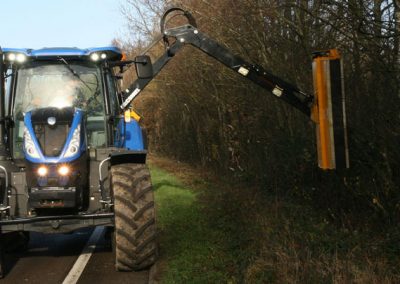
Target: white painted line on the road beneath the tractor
pixel 83 259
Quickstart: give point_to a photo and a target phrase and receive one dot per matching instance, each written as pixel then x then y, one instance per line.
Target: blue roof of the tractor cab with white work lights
pixel 111 52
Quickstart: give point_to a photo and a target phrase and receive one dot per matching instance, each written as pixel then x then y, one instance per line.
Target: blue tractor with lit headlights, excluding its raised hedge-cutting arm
pixel 70 156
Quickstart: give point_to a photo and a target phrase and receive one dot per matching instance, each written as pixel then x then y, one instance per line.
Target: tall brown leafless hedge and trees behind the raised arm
pixel 202 113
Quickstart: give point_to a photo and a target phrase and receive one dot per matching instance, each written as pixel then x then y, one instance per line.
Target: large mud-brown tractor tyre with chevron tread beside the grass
pixel 135 228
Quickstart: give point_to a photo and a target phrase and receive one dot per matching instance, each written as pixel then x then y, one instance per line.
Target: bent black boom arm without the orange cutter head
pixel 189 34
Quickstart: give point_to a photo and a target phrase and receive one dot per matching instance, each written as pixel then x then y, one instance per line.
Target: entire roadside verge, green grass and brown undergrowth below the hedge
pixel 213 232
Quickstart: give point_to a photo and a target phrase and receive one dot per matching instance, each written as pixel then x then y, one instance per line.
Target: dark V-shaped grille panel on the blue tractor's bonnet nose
pixel 51 138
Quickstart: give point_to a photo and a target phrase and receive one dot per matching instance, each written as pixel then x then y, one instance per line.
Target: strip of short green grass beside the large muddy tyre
pixel 193 251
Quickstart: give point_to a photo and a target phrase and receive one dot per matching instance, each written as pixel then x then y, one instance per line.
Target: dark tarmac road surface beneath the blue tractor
pixel 50 258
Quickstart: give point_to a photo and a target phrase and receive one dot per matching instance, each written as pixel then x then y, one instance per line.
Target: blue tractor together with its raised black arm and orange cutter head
pixel 72 153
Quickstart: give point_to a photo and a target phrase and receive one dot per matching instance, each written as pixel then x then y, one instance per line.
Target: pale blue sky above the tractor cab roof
pixel 60 23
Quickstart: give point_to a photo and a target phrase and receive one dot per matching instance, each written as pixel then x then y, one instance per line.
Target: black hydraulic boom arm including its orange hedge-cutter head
pixel 326 109
